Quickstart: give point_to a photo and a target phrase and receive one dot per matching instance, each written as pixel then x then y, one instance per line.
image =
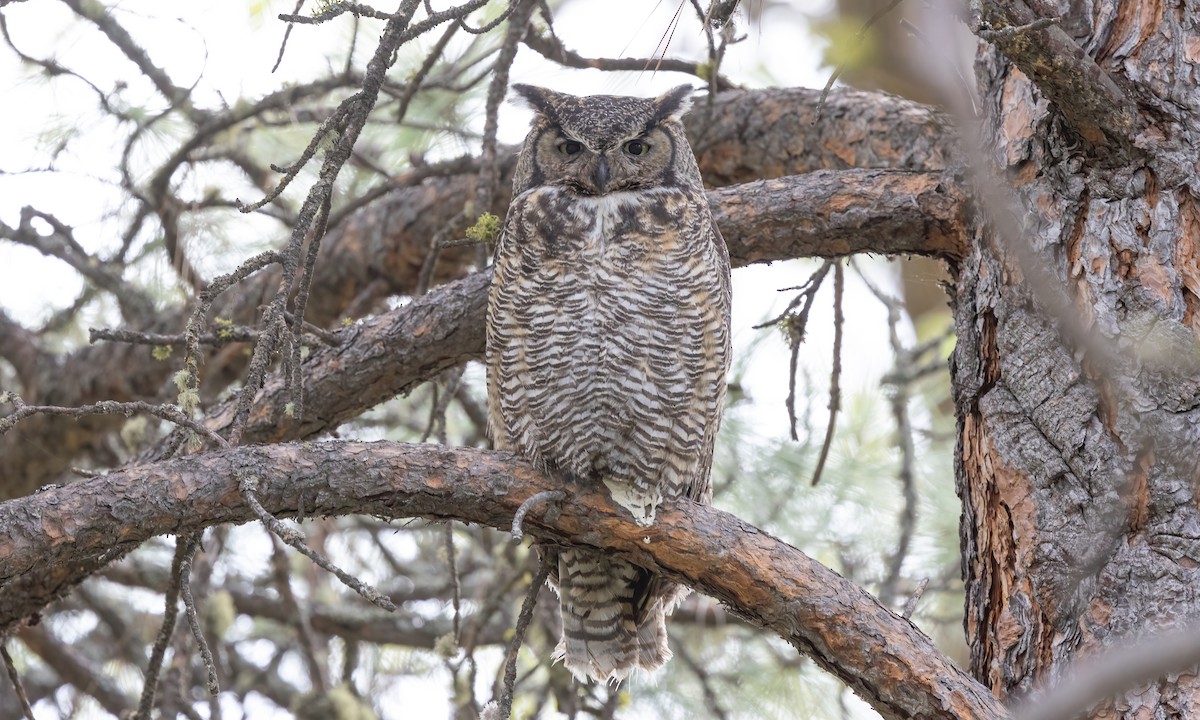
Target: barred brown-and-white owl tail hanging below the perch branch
pixel 613 623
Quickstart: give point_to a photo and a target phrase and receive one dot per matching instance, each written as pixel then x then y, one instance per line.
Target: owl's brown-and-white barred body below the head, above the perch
pixel 609 339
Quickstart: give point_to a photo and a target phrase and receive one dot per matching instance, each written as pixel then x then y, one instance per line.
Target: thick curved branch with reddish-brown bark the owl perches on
pixel 881 656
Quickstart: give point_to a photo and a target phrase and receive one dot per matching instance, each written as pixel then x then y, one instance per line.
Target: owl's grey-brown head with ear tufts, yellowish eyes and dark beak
pixel 607 143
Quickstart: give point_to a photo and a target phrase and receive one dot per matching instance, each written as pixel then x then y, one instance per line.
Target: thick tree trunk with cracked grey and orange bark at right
pixel 1076 374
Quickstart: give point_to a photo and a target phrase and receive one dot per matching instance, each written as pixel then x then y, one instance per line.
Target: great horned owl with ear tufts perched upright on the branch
pixel 609 343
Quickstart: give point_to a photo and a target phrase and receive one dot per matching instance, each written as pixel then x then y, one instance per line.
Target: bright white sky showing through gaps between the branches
pixel 230 52
